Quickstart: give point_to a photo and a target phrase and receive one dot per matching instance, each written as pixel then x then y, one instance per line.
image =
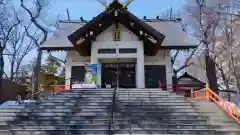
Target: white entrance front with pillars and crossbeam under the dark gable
pixel 128 40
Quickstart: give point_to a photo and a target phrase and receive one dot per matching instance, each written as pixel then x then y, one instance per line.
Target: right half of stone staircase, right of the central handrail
pixel 151 111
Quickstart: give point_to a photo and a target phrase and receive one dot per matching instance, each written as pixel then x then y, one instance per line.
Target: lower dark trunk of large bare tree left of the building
pixel 37 72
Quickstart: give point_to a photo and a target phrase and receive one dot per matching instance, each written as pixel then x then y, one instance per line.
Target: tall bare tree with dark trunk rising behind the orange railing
pixel 203 17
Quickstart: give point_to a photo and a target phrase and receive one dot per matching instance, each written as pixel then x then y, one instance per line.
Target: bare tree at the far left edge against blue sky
pixel 8 21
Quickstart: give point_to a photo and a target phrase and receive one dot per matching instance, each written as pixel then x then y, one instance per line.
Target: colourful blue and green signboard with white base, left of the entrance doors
pixel 90 78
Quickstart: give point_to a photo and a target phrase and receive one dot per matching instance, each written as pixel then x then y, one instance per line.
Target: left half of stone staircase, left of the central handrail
pixel 68 113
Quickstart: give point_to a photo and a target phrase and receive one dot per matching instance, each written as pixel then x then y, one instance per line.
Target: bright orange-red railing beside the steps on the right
pixel 226 106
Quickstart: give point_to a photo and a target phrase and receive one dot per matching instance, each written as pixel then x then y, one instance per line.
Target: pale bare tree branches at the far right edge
pixel 227 48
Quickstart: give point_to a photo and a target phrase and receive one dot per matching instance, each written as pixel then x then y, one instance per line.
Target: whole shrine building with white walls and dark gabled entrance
pixel 129 52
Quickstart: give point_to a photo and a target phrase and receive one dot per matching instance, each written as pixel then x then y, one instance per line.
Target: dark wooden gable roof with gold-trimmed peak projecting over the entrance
pixel 115 13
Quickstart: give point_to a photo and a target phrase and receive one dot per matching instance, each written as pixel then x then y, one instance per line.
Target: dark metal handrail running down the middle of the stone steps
pixel 112 110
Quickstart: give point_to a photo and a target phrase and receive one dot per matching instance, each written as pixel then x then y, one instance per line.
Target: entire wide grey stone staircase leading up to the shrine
pixel 136 111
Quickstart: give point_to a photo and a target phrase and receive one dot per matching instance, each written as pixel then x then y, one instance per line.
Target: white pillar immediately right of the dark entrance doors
pixel 140 73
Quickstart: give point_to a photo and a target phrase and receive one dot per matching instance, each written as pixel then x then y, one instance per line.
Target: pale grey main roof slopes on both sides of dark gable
pixel 174 34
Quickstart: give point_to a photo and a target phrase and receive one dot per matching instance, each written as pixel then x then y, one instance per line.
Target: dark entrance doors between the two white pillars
pixel 124 72
